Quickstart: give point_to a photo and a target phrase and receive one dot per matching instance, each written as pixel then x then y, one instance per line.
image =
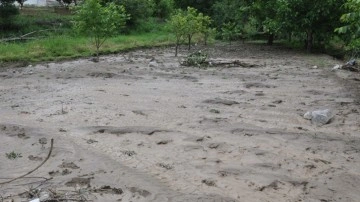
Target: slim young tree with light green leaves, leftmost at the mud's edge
pixel 99 22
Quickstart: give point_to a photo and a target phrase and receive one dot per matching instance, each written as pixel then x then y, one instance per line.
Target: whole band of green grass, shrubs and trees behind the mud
pixel 39 34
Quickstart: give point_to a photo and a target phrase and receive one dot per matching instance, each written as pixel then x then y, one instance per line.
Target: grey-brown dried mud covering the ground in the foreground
pixel 138 126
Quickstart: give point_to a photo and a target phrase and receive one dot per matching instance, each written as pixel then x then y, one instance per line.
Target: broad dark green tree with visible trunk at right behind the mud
pixel 314 18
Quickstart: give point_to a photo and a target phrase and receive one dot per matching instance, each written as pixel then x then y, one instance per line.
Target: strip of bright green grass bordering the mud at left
pixel 67 47
